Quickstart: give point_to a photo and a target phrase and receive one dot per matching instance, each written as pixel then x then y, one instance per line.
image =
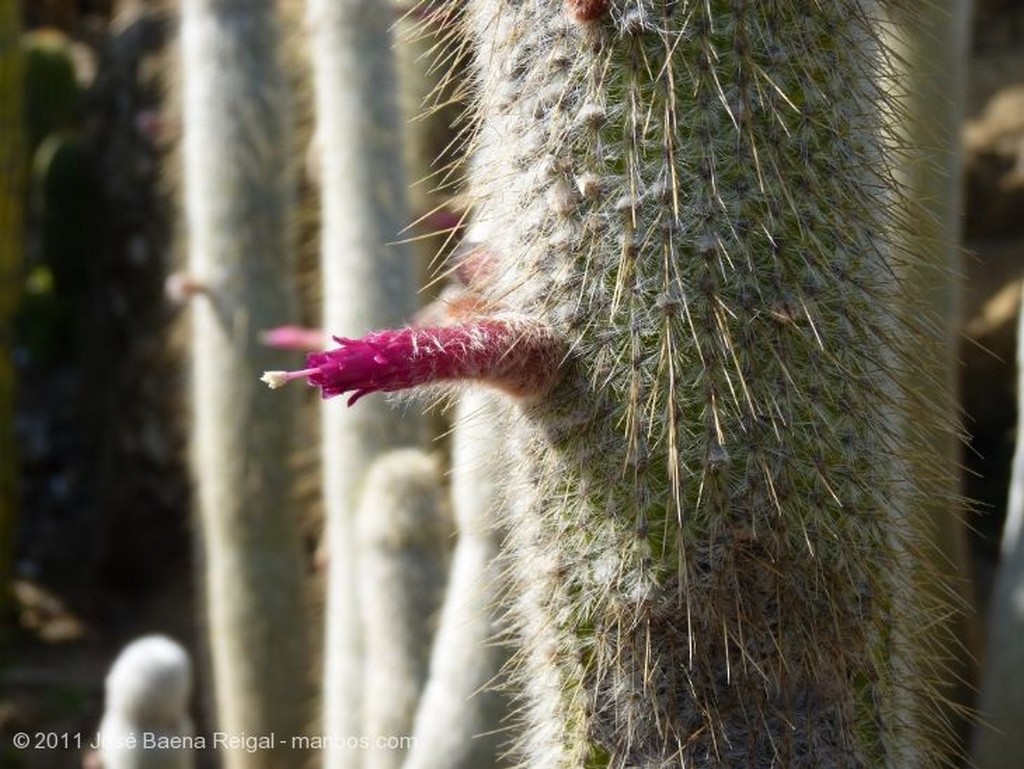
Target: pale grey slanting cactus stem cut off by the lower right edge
pixel 999 742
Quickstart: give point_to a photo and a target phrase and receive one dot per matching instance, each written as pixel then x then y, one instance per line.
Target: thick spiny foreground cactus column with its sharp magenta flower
pixel 710 522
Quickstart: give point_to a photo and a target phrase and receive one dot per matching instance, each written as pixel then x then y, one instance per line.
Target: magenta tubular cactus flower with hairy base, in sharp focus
pixel 514 356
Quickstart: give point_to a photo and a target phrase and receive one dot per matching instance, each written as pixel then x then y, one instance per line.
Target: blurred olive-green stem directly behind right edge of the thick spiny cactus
pixel 931 45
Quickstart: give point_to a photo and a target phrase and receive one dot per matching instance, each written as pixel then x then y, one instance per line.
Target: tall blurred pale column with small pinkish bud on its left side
pixel 238 194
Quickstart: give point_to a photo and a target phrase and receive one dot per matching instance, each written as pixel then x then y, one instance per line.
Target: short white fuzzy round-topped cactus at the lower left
pixel 147 694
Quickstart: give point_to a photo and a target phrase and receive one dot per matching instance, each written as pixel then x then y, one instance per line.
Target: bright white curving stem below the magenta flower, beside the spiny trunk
pixel 459 723
